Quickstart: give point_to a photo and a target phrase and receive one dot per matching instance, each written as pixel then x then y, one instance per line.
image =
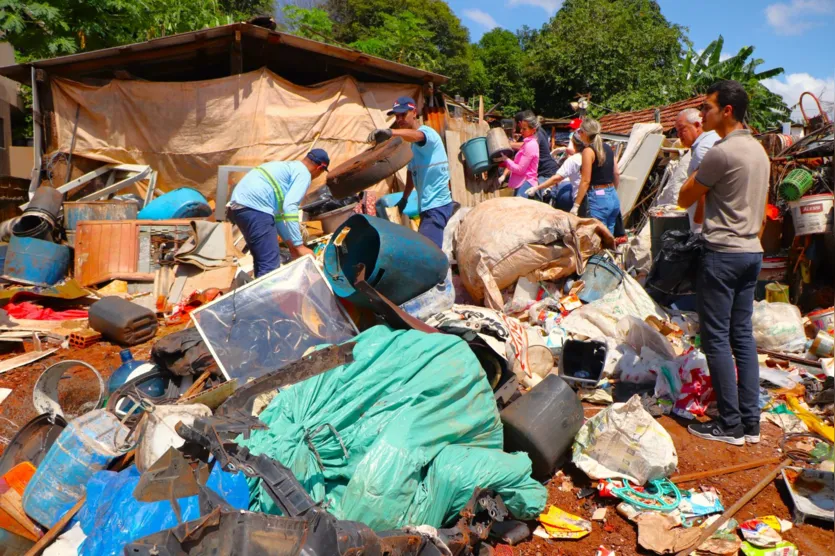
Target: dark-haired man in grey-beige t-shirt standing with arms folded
pixel 733 178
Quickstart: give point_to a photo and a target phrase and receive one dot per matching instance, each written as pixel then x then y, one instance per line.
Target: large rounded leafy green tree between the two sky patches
pixel 624 52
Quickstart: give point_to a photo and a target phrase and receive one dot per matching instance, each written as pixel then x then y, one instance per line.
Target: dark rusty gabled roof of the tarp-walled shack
pixel 167 57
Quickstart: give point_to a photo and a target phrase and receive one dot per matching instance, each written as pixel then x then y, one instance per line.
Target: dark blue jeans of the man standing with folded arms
pixel 726 305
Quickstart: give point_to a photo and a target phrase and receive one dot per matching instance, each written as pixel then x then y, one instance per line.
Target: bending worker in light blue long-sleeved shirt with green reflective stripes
pixel 267 200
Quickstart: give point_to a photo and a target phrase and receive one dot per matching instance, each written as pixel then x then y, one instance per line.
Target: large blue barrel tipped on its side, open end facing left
pixel 399 263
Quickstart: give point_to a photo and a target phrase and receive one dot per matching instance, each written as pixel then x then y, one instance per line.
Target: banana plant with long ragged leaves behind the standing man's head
pixel 699 71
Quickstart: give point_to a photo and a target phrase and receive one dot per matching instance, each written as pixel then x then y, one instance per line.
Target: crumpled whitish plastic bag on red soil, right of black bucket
pixel 624 441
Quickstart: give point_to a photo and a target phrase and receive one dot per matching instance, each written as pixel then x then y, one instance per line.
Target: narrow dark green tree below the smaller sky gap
pixel 501 51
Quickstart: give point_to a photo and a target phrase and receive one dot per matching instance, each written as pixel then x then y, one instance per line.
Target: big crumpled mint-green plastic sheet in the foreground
pixel 418 421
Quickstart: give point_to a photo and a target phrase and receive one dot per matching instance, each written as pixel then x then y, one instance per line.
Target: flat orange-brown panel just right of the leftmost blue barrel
pixel 106 250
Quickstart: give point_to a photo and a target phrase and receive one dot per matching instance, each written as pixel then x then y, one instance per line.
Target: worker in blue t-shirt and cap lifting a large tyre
pixel 428 170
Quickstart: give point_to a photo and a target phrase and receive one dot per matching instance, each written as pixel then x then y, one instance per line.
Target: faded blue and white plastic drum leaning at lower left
pixel 86 446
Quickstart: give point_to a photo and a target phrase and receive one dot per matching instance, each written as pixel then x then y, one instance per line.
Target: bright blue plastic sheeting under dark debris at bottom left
pixel 111 517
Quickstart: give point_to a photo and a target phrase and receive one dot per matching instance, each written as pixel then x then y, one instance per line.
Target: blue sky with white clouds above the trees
pixel 793 34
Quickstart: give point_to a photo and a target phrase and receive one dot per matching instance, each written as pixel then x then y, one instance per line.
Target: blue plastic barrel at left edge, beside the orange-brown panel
pixel 35 261
